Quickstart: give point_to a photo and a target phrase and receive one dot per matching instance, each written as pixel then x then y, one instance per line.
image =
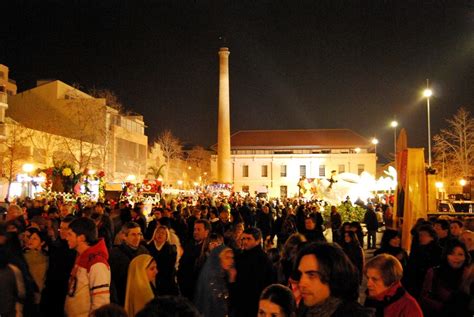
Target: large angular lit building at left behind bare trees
pixel 103 137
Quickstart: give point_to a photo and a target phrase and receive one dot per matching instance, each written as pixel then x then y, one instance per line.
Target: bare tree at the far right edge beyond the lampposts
pixel 454 147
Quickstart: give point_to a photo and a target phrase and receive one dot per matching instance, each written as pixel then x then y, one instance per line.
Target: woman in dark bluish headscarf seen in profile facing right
pixel 212 291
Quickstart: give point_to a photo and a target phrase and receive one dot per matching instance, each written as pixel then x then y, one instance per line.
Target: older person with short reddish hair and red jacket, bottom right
pixel 385 293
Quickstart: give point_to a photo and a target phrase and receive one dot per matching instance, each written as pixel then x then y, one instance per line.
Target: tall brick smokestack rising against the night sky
pixel 224 167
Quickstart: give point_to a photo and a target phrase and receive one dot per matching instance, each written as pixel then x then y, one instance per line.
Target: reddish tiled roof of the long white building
pixel 317 138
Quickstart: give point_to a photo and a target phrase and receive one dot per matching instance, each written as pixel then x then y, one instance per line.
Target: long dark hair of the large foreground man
pixel 335 268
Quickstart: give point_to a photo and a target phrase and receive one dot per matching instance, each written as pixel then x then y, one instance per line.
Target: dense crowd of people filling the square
pixel 226 257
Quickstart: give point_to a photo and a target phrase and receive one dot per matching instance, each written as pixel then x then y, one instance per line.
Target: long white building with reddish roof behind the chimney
pixel 273 161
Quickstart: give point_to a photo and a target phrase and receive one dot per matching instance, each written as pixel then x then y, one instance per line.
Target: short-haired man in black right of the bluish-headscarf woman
pixel 254 273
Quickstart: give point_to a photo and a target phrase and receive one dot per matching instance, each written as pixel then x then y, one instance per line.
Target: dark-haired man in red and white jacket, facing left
pixel 89 282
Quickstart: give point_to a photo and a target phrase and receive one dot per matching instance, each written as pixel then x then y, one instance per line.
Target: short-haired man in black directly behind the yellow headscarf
pixel 120 258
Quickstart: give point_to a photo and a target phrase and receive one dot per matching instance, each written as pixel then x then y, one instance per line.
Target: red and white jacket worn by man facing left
pixel 89 283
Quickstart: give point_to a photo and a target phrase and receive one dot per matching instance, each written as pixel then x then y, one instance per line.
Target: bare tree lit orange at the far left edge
pixel 13 151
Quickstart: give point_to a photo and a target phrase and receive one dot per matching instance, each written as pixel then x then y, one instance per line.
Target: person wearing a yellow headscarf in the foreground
pixel 140 283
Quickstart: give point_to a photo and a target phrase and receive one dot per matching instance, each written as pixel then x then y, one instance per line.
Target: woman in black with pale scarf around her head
pixel 165 255
